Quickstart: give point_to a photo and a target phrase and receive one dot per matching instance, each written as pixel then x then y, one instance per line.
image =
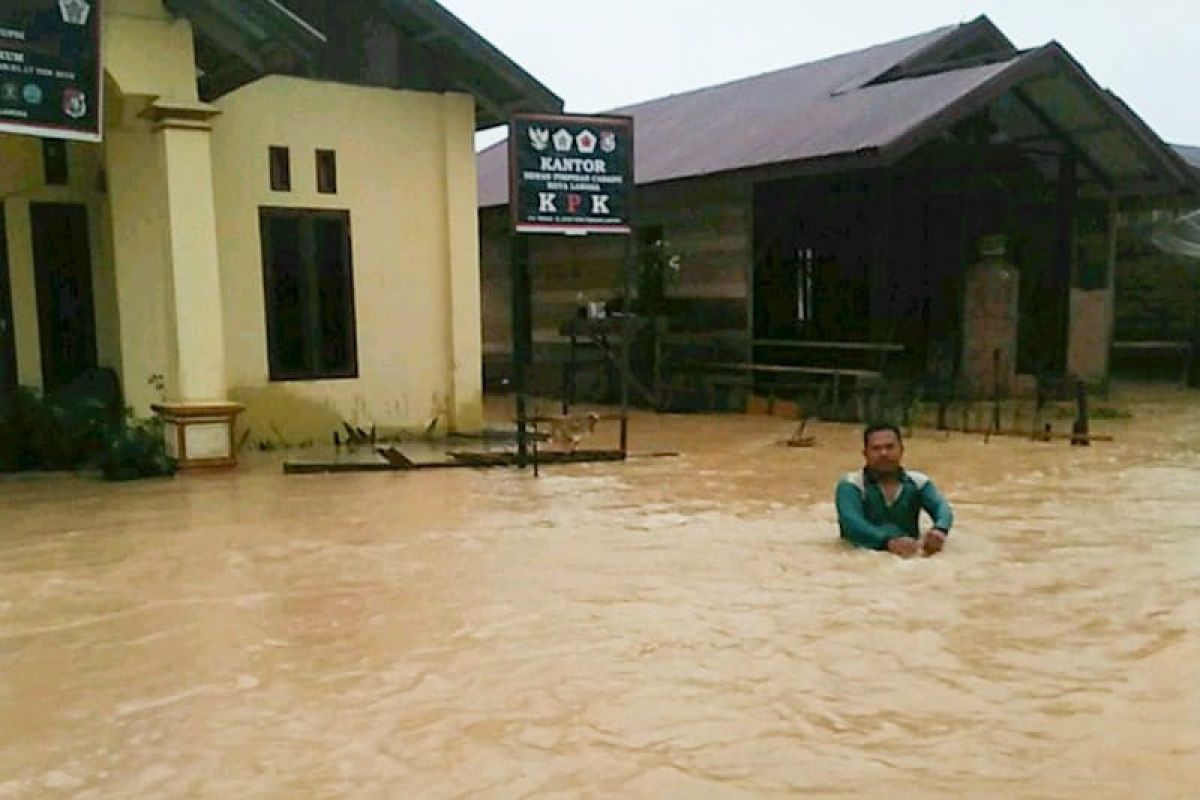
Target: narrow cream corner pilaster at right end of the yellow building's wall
pixel 463 256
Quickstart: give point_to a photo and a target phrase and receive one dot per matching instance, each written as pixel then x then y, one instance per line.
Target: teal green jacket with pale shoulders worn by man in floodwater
pixel 868 521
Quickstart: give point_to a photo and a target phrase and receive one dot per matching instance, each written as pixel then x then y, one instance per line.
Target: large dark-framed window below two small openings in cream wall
pixel 309 285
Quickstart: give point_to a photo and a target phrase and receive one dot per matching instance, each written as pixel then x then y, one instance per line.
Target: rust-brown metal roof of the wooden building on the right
pixel 832 109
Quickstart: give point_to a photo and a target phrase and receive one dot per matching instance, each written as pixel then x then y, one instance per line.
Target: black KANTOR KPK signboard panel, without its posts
pixel 572 175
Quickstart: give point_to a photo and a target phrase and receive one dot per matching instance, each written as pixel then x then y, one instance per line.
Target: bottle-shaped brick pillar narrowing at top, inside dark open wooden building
pixel 992 296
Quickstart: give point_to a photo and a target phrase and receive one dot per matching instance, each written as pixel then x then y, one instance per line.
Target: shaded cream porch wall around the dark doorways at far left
pixel 22 183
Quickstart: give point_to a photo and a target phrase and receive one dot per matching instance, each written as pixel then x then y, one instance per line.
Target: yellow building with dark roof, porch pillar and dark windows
pixel 281 215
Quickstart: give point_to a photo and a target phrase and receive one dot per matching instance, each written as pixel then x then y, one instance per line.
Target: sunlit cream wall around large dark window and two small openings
pixel 406 173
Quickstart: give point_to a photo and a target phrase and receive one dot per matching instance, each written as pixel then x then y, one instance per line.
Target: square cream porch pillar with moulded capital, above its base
pixel 164 237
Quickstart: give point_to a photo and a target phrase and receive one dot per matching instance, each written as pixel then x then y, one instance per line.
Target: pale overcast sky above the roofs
pixel 609 53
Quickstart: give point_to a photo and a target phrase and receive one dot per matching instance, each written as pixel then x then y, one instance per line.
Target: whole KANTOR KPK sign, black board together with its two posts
pixel 568 176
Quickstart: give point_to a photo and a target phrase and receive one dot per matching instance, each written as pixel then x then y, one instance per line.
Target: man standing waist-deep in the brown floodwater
pixel 879 506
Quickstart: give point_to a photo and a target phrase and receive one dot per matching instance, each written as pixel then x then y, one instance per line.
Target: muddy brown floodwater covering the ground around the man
pixel 664 629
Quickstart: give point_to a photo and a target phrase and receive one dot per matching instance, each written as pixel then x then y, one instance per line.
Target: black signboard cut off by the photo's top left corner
pixel 50 69
